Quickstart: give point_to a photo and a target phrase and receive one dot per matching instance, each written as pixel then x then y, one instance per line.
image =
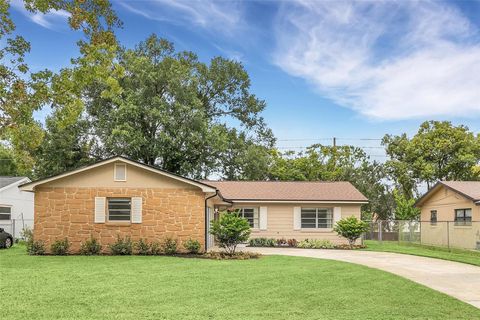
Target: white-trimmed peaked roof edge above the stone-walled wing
pixel 204 187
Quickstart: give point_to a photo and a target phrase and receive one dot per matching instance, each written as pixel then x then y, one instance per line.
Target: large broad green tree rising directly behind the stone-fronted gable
pixel 174 111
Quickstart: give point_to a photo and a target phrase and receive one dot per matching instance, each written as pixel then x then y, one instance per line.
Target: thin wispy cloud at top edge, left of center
pixel 213 15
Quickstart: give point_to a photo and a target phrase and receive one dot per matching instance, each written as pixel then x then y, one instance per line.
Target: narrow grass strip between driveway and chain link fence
pixel 465 256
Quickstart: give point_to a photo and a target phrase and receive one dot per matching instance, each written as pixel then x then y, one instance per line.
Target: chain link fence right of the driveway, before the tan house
pixel 450 234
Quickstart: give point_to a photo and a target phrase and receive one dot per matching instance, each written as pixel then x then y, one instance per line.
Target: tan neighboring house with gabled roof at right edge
pixel 450 214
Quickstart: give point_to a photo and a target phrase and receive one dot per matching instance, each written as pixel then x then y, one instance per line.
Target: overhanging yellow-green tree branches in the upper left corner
pixel 23 92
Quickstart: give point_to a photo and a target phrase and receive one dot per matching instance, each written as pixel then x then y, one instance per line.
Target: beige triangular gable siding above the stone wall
pixel 102 177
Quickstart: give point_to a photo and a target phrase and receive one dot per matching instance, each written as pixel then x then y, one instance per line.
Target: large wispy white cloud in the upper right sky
pixel 386 60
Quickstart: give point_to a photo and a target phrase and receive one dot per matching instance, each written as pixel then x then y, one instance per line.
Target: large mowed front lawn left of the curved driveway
pixel 273 287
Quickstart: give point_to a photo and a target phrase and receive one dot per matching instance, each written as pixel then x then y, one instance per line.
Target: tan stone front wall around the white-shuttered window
pixel 69 213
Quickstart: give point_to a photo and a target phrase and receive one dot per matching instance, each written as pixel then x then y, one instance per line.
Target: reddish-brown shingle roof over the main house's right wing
pixel 288 191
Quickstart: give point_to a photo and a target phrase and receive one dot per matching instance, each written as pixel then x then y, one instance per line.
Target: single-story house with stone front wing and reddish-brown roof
pixel 122 197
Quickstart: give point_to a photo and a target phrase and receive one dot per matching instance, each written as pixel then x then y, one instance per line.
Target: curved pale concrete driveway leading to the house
pixel 458 280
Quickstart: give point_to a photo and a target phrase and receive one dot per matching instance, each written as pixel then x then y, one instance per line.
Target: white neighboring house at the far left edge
pixel 16 206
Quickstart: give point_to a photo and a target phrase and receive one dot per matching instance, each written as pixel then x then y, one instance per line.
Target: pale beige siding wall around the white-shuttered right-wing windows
pixel 280 221
